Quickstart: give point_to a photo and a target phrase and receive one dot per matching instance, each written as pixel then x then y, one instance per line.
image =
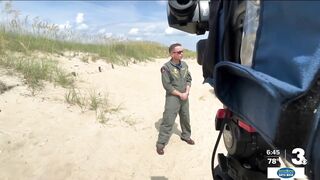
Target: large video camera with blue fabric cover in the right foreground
pixel 263 60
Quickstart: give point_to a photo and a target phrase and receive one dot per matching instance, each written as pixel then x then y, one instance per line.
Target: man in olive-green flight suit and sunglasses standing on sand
pixel 176 80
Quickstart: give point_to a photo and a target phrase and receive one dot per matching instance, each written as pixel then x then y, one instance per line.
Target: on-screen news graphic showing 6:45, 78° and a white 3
pixel 286 173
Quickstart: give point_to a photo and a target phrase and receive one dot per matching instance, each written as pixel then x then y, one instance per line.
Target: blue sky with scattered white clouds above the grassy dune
pixel 134 20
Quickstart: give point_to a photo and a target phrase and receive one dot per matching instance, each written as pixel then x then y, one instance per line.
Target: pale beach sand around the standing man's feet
pixel 42 137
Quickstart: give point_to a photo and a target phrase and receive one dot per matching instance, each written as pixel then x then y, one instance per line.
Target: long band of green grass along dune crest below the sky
pixel 113 52
